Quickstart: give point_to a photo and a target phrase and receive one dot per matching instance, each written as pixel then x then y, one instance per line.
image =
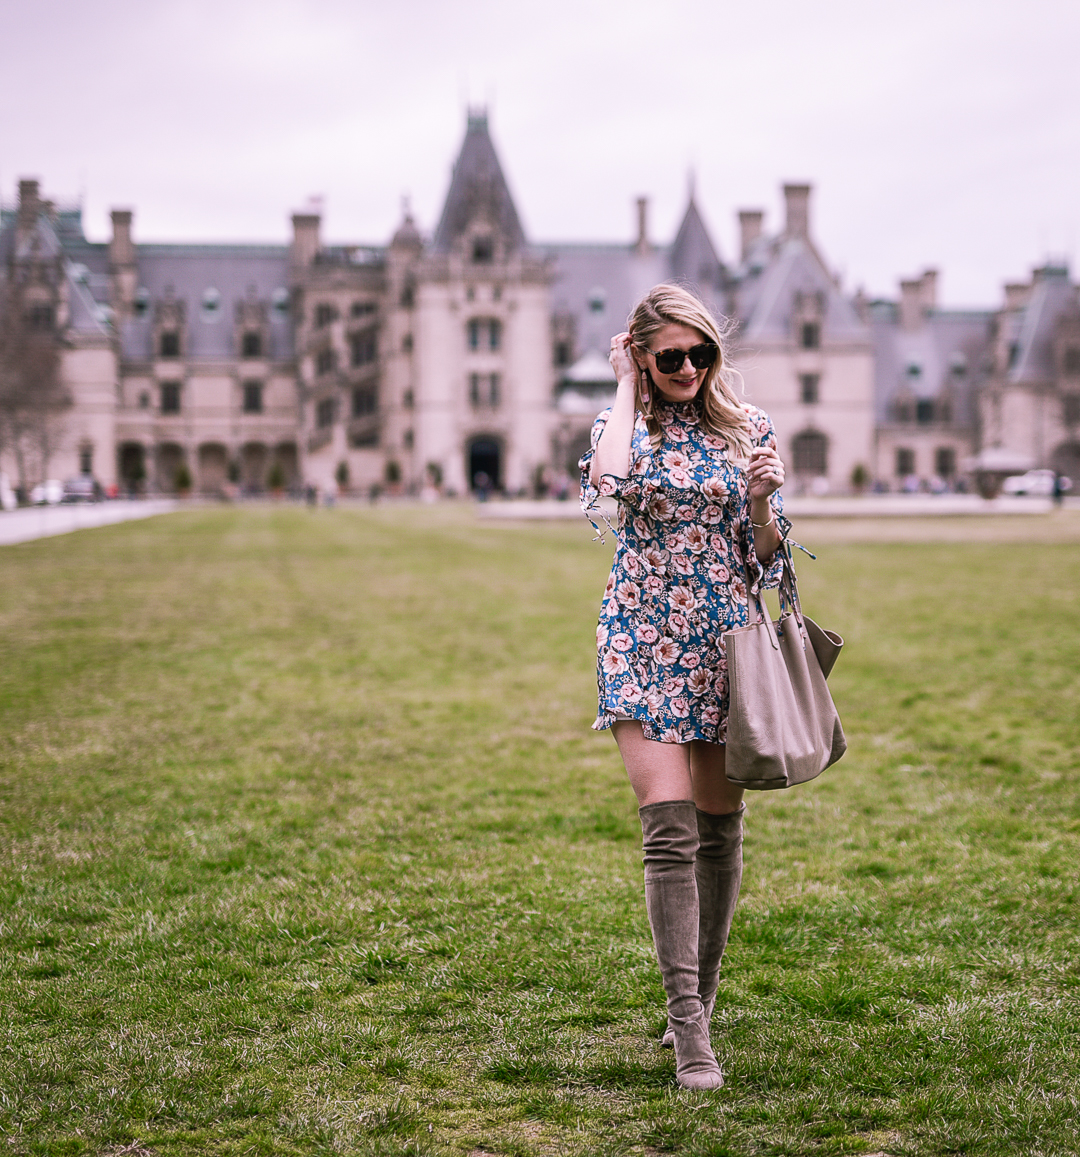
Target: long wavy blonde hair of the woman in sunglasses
pixel 723 414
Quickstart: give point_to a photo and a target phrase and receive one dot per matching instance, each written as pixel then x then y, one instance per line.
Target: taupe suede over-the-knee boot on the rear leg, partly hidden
pixel 718 869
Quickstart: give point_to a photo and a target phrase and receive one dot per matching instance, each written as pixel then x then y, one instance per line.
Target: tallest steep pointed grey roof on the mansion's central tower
pixel 479 187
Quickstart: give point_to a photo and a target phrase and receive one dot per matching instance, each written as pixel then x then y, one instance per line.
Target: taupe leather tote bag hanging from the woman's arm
pixel 783 727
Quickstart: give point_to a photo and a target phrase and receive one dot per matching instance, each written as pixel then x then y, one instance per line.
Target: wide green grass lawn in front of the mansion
pixel 306 846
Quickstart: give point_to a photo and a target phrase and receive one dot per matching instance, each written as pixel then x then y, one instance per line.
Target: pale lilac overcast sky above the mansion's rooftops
pixel 935 132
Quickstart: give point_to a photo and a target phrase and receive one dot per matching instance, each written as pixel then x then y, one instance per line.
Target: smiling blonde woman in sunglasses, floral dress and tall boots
pixel 696 475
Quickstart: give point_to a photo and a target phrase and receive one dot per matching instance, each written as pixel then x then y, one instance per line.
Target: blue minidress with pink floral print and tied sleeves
pixel 677 583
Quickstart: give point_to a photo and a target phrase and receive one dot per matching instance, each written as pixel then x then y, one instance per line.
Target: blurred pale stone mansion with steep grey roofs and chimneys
pixel 474 350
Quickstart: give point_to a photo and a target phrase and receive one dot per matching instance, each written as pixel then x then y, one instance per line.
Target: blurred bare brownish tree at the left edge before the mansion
pixel 33 397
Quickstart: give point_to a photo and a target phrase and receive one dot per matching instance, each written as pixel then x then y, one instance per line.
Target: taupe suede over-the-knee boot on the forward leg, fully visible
pixel 670 835
